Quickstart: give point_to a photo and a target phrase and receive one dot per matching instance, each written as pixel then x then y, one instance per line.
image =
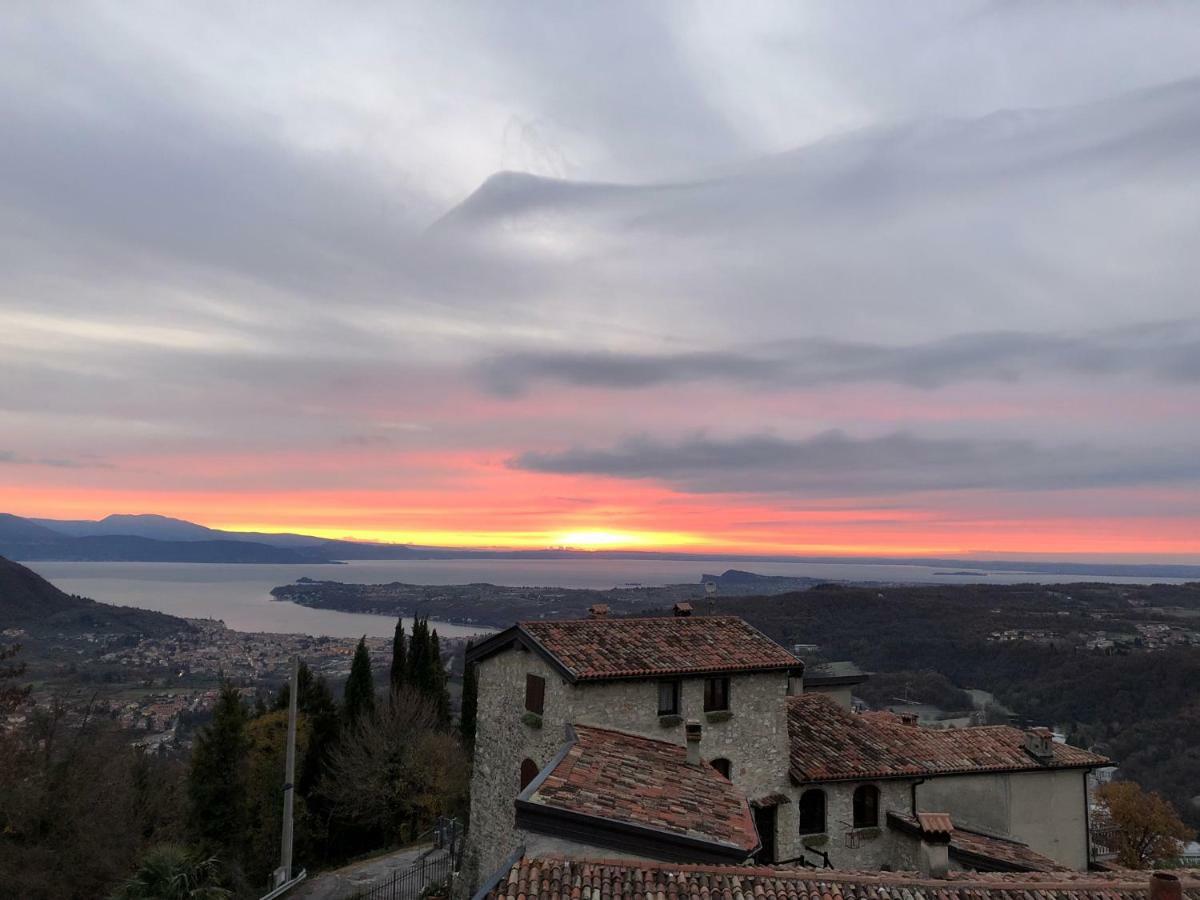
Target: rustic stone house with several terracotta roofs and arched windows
pixel 694 740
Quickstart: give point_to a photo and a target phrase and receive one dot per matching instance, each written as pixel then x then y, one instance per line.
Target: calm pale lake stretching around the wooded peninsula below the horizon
pixel 241 595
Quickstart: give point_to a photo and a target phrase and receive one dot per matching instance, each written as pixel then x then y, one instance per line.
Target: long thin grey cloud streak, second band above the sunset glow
pixel 1167 352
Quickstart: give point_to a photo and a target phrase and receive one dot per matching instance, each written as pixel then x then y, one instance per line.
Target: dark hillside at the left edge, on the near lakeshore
pixel 29 602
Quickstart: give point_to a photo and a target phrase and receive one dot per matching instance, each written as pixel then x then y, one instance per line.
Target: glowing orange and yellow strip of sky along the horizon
pixel 503 511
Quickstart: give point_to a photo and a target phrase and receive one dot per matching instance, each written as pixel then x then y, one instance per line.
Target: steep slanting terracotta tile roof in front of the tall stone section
pixel 641 782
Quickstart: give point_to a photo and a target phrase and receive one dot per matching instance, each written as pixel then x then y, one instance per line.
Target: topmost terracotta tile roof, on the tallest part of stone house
pixel 593 650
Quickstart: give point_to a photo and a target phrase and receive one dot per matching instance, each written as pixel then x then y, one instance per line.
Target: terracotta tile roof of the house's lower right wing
pixel 832 745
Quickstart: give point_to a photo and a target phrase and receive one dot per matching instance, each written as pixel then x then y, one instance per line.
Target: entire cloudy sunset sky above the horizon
pixel 814 279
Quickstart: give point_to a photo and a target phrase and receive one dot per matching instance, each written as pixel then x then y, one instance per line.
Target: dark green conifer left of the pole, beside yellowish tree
pixel 217 782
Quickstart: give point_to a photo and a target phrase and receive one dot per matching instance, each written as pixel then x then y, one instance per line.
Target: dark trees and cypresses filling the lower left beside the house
pixel 83 814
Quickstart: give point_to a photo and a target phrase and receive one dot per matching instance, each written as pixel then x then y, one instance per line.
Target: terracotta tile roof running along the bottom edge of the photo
pixel 557 879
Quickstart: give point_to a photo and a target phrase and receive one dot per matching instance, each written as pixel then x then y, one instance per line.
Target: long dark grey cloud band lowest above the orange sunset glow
pixel 833 464
